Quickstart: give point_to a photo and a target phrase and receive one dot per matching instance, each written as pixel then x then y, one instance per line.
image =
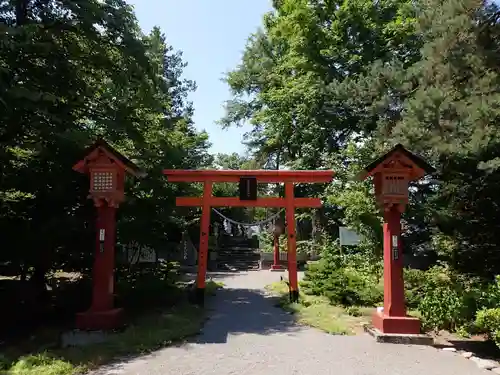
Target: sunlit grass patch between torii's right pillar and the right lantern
pixel 317 312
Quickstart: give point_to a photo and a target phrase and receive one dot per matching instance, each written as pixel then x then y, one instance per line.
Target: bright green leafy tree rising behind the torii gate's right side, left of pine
pixel 297 86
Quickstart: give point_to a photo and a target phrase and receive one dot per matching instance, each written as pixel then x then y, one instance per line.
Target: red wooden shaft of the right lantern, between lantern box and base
pixel 394 297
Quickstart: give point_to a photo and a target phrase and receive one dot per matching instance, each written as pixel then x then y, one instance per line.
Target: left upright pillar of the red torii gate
pixel 203 248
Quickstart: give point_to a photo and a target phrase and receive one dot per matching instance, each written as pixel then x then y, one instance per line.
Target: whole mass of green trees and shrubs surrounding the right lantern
pixel 333 84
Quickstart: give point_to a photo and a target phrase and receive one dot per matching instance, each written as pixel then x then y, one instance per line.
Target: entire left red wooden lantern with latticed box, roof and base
pixel 106 168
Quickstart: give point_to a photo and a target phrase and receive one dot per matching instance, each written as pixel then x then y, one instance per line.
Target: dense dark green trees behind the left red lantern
pixel 72 72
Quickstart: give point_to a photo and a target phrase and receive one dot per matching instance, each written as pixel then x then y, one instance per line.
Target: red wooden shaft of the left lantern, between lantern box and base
pixel 104 261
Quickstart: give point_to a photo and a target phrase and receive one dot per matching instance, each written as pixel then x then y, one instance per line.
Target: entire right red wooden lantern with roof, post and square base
pixel 391 174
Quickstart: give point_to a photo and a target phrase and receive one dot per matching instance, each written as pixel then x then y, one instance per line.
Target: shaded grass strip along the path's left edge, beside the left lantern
pixel 147 333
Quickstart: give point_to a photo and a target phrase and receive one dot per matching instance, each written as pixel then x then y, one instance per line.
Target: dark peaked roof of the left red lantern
pixel 121 160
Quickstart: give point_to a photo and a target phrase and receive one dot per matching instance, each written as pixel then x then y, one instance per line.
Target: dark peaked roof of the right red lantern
pixel 413 161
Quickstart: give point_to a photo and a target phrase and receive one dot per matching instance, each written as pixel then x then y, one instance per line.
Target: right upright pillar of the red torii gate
pixel 292 244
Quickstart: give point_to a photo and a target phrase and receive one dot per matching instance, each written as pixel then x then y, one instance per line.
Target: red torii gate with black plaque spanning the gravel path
pixel 248 180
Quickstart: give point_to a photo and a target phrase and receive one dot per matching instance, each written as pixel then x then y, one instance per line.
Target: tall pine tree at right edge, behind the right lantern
pixel 452 115
